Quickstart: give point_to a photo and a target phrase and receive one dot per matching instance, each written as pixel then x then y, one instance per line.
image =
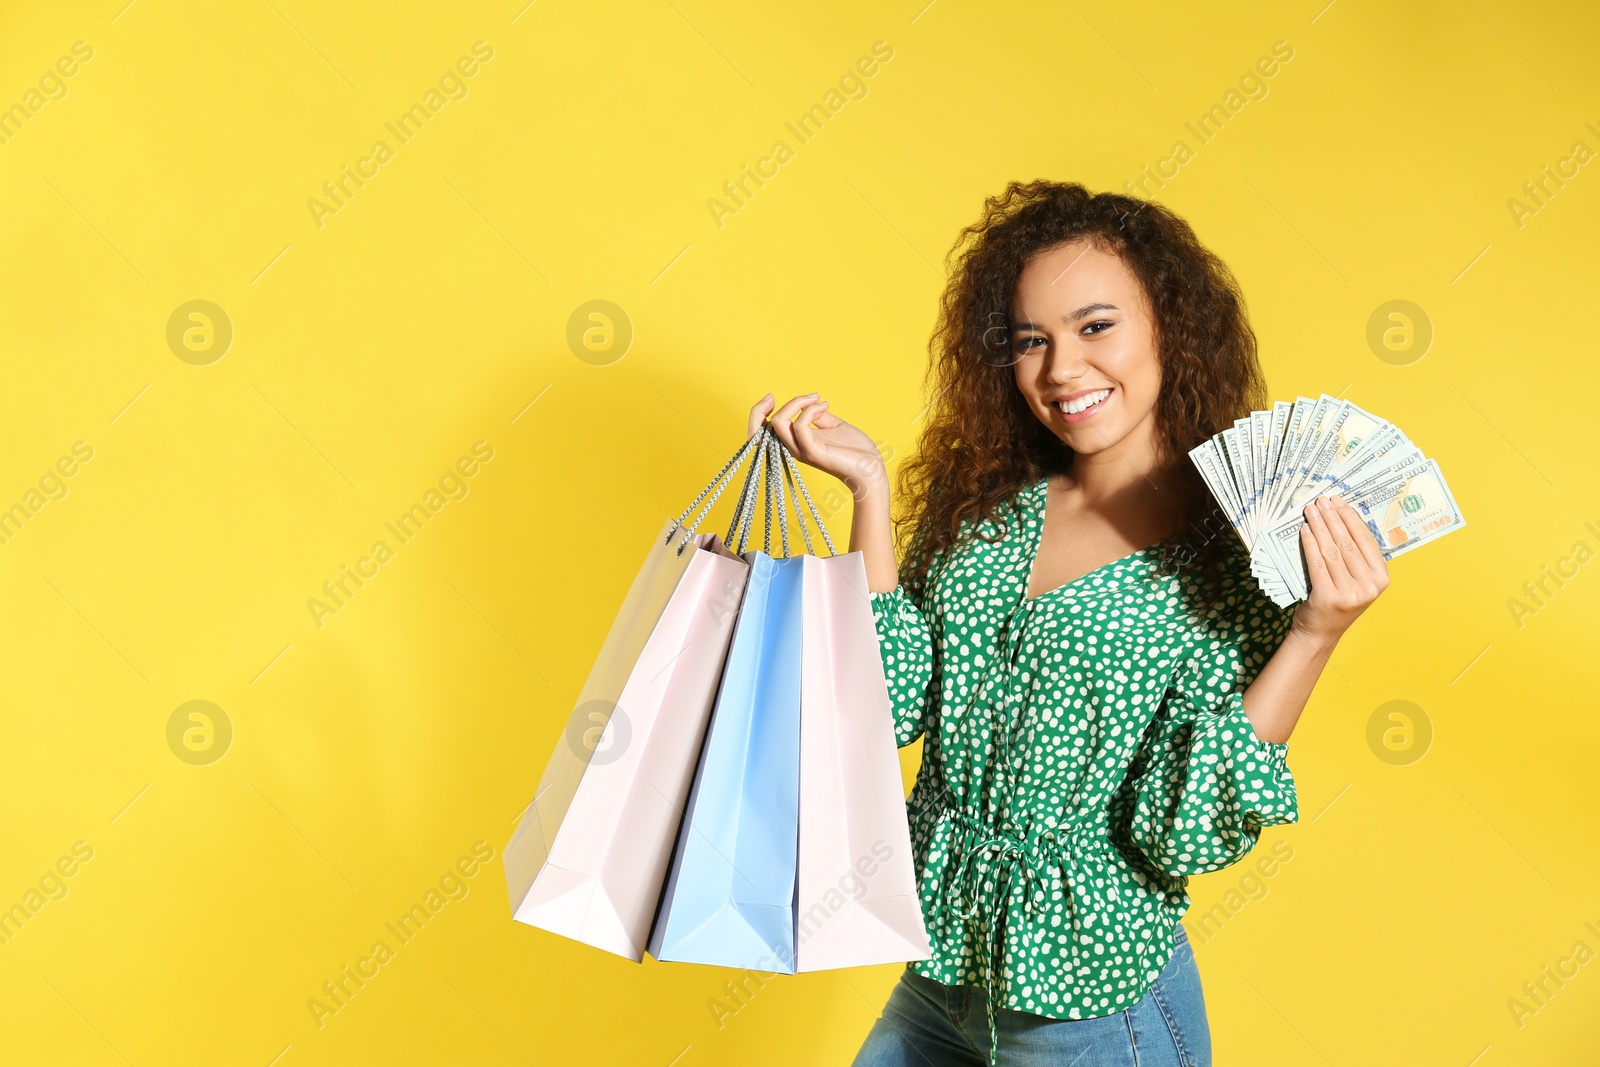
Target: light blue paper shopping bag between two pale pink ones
pixel 730 893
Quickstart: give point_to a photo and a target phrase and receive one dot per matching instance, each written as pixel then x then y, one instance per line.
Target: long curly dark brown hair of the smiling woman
pixel 982 444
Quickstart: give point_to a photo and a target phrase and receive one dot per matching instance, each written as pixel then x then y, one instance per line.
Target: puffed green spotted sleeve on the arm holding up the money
pixel 1204 781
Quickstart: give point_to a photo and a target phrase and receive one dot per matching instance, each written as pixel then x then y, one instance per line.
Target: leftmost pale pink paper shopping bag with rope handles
pixel 590 858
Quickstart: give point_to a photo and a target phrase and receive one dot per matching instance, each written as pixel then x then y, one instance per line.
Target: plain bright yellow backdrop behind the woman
pixel 431 313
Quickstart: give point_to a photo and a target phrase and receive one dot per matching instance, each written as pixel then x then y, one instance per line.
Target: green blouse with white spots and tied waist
pixel 1084 753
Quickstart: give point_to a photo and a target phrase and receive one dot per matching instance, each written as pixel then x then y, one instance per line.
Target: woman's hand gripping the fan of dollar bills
pixel 1348 570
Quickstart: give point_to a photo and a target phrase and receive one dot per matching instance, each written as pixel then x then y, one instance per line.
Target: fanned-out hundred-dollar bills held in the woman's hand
pixel 1271 465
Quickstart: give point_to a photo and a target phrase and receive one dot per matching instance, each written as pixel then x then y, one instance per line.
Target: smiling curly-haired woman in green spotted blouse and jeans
pixel 1103 692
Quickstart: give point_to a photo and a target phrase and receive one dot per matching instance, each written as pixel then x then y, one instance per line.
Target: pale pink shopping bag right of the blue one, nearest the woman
pixel 857 889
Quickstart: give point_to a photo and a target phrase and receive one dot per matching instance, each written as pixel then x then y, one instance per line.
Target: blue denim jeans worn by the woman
pixel 930 1025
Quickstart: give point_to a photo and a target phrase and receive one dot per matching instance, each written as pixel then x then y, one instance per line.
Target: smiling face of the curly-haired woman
pixel 1084 332
